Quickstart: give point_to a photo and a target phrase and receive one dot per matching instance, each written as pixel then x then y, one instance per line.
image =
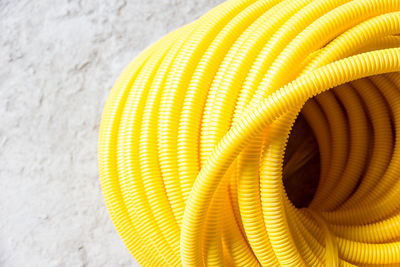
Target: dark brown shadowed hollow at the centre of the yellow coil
pixel 301 164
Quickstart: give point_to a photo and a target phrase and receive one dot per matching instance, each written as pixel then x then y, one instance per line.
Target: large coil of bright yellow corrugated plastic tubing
pixel 194 132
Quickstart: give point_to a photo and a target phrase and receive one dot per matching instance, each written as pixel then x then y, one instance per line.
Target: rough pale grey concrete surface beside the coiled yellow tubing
pixel 58 62
